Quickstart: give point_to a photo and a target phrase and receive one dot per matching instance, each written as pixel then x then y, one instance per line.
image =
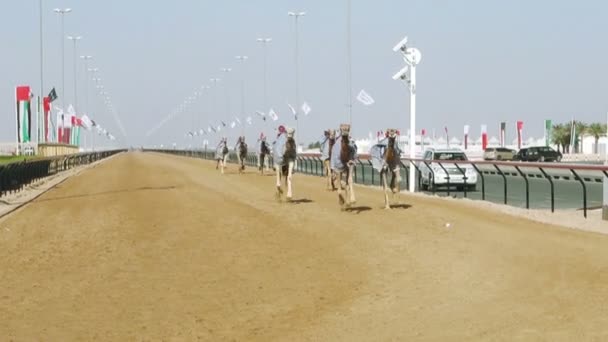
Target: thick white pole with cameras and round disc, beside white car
pixel 412 57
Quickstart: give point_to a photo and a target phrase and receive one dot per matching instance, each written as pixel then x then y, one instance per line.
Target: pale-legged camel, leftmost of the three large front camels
pixel 285 154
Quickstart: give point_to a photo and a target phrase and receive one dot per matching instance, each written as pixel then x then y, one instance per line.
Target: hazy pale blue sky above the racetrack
pixel 483 62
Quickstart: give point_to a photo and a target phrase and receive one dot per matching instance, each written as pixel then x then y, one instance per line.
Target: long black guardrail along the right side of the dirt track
pixel 529 185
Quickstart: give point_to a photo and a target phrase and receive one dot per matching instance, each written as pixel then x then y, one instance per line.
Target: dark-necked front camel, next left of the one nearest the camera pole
pixel 344 154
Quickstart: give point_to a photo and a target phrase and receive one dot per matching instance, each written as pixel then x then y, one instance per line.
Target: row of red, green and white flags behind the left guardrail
pixel 68 125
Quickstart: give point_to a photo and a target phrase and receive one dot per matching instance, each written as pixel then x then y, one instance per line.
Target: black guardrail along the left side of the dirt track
pixel 16 175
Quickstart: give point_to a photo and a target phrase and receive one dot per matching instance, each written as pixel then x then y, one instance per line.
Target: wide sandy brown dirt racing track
pixel 157 247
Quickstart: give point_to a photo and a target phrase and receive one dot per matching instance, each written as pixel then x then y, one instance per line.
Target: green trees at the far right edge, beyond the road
pixel 561 135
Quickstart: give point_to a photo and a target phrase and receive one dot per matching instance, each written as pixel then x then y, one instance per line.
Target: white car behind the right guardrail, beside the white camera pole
pixel 433 174
